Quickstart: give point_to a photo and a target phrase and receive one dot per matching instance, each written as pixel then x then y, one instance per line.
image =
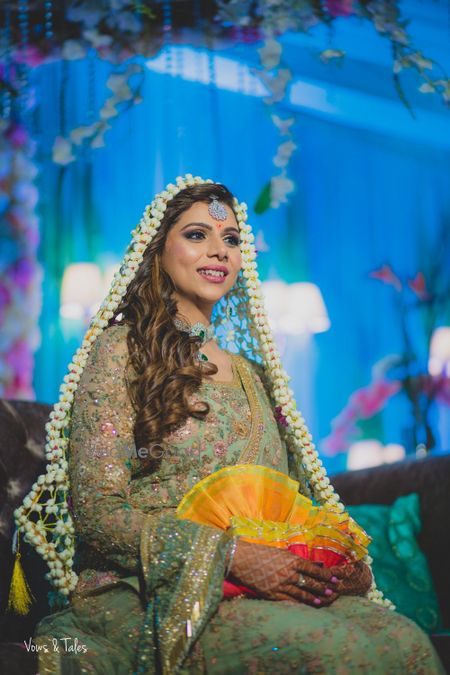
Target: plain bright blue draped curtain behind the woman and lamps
pixel 363 197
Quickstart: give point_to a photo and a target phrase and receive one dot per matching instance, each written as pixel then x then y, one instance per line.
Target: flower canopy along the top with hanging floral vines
pixel 124 29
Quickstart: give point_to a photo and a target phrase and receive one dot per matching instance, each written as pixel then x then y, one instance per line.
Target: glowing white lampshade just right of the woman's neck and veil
pixel 294 309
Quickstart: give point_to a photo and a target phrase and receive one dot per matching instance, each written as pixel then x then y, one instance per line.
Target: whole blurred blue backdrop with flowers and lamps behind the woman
pixel 331 117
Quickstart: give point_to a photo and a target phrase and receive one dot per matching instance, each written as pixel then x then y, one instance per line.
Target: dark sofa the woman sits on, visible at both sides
pixel 22 438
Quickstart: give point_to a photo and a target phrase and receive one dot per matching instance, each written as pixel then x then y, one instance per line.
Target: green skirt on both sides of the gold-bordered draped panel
pixel 245 636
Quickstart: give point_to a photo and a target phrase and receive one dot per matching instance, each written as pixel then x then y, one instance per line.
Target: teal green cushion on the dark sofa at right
pixel 400 567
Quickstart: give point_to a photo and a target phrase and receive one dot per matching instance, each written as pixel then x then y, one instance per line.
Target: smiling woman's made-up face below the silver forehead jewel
pixel 199 242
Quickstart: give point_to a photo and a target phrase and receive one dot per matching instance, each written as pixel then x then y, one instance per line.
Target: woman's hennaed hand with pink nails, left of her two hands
pixel 274 574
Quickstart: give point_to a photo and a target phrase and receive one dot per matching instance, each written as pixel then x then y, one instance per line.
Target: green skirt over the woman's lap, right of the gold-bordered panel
pixel 351 636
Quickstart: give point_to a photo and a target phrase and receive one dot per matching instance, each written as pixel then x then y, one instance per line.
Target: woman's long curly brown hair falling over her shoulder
pixel 163 358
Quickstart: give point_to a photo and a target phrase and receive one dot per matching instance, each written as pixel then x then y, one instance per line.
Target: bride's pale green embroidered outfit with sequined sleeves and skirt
pixel 149 597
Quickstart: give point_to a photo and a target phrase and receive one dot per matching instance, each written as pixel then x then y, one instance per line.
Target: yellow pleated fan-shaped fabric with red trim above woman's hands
pixel 264 506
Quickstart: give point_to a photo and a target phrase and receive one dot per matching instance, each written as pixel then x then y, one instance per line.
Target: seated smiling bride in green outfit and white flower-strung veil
pixel 152 404
